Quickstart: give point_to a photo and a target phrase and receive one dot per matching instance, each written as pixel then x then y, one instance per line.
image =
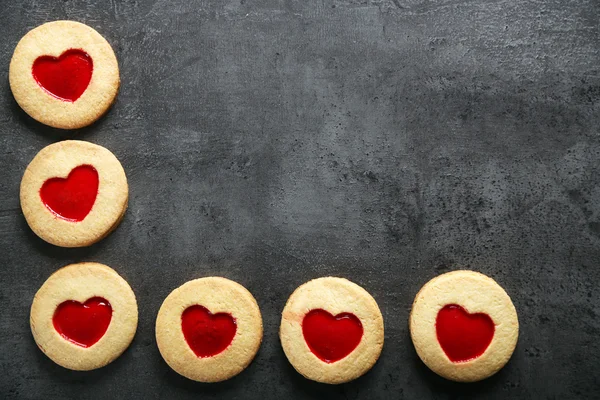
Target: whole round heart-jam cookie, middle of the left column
pixel 74 193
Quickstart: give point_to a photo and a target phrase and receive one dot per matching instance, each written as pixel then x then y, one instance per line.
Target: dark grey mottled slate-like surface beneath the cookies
pixel 388 141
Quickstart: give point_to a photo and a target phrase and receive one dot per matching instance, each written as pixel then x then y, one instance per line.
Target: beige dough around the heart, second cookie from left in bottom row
pixel 217 295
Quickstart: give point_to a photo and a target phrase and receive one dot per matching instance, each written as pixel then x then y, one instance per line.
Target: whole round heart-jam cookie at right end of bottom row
pixel 464 326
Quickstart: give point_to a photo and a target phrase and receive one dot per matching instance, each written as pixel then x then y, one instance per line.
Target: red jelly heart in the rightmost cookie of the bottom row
pixel 463 336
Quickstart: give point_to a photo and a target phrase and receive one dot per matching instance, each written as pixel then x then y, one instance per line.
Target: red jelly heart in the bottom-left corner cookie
pixel 83 323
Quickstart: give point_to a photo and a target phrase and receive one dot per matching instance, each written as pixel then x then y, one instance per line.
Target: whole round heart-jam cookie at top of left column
pixel 64 74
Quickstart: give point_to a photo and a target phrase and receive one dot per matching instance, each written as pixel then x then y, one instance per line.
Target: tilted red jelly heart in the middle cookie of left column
pixel 72 198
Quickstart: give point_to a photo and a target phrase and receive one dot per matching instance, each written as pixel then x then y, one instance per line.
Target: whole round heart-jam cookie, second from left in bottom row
pixel 209 329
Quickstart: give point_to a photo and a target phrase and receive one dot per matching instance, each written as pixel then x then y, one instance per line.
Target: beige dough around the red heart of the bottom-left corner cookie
pixel 80 282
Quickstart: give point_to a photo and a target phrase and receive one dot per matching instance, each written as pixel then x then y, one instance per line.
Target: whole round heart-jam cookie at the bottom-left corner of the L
pixel 84 316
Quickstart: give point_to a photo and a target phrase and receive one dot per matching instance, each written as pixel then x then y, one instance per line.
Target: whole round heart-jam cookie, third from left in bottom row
pixel 331 330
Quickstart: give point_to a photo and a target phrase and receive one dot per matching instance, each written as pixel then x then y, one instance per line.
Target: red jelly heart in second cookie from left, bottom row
pixel 206 333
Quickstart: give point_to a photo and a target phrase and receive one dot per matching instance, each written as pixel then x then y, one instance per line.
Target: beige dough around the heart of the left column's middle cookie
pixel 57 161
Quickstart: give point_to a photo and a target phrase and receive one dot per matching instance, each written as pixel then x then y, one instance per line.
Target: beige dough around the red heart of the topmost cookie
pixel 53 39
